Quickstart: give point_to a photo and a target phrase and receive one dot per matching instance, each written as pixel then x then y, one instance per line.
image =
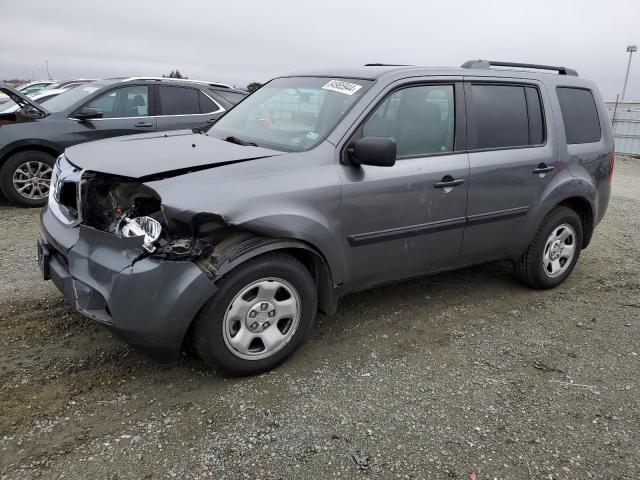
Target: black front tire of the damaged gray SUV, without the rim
pixel 208 336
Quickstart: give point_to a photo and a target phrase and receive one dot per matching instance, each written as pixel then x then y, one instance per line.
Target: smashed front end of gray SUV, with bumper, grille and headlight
pixel 109 246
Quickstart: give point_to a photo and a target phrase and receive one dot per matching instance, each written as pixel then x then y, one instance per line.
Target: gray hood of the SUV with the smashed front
pixel 162 153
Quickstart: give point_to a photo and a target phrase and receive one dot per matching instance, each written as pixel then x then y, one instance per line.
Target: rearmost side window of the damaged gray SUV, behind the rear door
pixel 579 114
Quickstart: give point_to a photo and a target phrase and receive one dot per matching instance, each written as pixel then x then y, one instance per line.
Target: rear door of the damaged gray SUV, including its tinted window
pixel 513 161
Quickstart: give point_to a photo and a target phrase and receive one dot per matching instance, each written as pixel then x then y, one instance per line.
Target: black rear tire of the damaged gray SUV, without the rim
pixel 530 268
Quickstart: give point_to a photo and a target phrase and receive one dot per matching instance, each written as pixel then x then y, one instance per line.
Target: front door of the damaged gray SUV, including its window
pixel 408 219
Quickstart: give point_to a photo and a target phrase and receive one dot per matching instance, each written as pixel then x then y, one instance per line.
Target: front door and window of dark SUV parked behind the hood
pixel 126 111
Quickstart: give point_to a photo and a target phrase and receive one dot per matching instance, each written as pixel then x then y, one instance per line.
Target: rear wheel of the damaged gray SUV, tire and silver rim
pixel 554 250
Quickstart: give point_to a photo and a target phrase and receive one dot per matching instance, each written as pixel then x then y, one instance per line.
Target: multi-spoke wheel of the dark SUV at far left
pixel 26 176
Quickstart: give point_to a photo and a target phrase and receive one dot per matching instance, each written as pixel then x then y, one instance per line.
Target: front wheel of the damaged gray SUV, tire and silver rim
pixel 260 315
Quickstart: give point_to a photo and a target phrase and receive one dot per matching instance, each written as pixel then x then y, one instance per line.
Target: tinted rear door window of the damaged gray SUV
pixel 507 116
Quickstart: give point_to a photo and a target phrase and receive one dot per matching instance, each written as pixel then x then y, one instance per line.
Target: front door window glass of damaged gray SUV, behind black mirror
pixel 420 119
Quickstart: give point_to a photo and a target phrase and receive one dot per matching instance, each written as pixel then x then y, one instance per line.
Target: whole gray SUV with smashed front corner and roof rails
pixel 319 184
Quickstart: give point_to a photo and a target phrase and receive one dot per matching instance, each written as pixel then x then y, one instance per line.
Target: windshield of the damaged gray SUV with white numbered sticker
pixel 291 114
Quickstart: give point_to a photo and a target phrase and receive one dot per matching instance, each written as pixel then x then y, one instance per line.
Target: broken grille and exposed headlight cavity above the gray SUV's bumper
pixel 127 208
